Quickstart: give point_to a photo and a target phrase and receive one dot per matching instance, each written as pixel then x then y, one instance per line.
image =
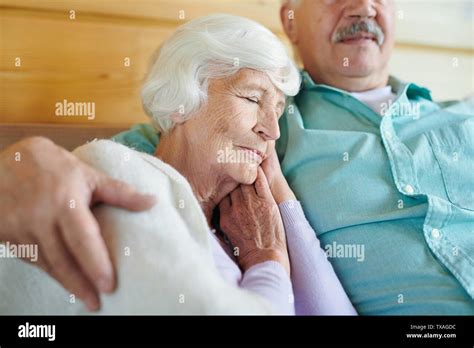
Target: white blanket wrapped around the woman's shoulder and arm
pixel 162 256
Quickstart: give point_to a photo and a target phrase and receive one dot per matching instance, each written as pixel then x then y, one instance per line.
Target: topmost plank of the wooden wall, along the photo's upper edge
pixel 440 23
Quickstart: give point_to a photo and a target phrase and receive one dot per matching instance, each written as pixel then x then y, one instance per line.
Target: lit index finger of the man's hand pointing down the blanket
pixel 82 237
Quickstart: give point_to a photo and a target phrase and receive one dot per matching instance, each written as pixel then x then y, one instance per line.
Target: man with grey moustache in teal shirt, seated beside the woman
pixel 382 171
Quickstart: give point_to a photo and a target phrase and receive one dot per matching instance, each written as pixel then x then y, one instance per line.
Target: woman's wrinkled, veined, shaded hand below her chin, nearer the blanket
pixel 250 218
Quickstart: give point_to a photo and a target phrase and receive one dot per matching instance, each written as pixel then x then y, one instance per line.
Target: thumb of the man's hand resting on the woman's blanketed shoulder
pixel 118 193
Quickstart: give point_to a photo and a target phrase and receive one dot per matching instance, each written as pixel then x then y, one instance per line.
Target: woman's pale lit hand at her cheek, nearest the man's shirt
pixel 276 180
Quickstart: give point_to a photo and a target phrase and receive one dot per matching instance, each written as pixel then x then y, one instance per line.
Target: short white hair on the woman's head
pixel 213 46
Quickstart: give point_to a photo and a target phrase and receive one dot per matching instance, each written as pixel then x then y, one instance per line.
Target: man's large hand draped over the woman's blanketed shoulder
pixel 46 194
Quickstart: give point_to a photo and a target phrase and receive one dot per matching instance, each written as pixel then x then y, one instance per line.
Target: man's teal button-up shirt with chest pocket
pixel 391 198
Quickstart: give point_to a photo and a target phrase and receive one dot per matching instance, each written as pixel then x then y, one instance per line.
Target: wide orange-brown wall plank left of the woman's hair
pixel 80 61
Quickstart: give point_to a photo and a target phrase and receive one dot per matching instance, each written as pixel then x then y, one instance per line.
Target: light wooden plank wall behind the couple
pixel 79 50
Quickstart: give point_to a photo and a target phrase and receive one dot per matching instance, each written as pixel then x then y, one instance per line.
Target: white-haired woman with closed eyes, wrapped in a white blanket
pixel 215 242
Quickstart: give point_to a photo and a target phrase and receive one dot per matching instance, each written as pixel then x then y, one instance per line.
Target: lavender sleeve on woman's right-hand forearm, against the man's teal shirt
pixel 316 287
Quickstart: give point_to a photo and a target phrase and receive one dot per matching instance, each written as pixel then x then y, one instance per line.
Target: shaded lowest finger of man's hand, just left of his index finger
pixel 59 264
